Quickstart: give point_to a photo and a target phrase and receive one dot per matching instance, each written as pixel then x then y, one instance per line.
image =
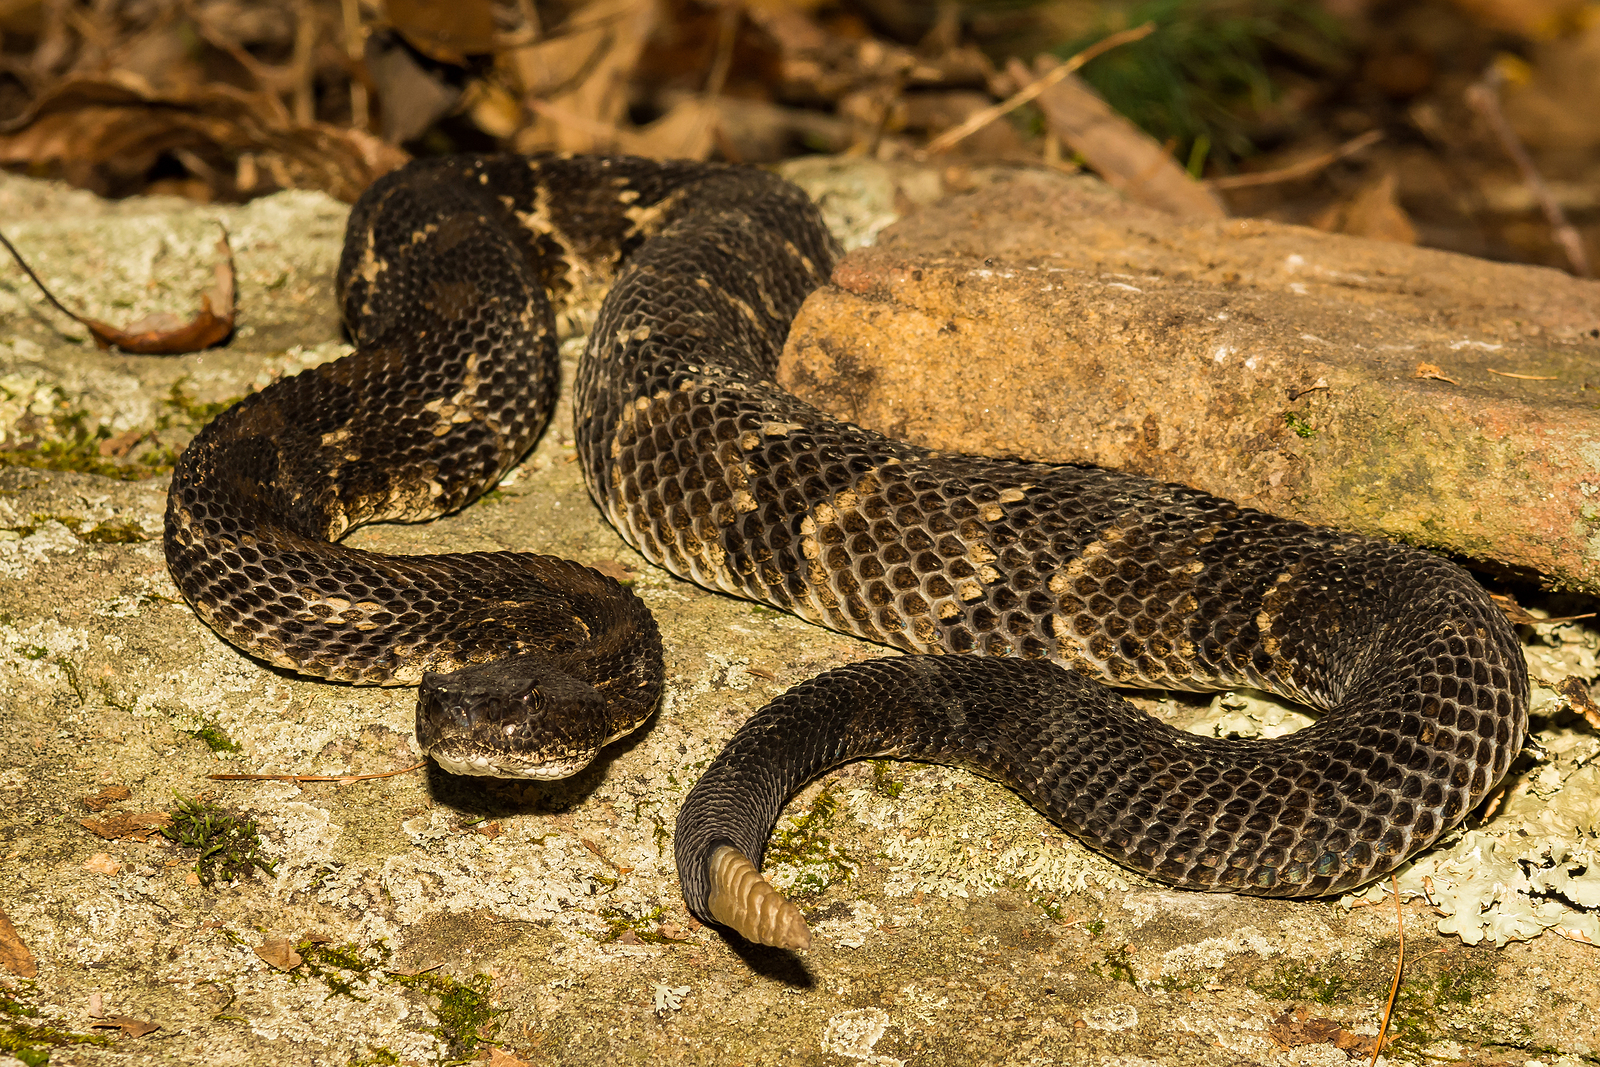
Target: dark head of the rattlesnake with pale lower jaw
pixel 518 717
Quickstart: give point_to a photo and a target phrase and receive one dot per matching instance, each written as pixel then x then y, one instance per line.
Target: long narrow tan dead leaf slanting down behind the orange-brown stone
pixel 1129 159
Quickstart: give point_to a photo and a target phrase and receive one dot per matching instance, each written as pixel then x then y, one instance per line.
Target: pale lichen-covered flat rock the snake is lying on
pixel 954 925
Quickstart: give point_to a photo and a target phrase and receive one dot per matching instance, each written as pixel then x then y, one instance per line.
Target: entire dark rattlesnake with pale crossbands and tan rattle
pixel 1038 581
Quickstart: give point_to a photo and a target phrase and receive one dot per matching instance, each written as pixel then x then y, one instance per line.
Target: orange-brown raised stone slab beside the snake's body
pixel 1415 394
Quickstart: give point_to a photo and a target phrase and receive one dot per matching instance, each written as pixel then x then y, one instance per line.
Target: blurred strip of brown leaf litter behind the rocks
pixel 1393 119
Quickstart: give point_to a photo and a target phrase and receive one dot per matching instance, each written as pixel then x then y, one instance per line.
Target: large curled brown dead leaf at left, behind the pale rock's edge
pixel 108 134
